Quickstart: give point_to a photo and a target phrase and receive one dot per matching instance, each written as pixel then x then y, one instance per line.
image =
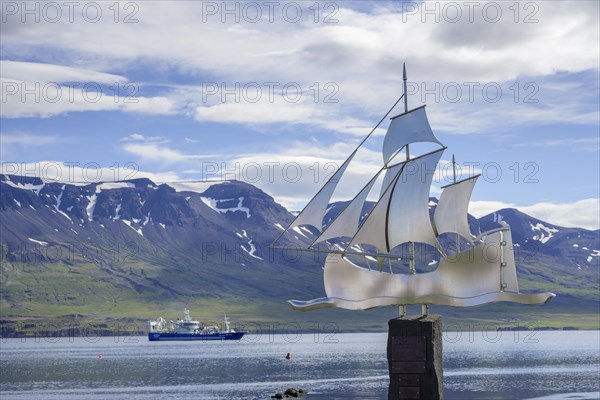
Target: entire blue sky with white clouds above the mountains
pixel 190 91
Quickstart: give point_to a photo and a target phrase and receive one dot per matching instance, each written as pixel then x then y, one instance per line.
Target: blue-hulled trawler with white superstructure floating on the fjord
pixel 187 329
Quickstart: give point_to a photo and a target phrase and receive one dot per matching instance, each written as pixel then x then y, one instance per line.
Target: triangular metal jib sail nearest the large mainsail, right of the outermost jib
pixel 347 222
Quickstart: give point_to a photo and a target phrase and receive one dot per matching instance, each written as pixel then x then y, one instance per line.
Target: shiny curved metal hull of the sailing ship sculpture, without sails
pixel 483 274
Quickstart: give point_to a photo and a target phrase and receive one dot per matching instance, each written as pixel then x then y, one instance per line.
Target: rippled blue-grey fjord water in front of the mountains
pixel 477 365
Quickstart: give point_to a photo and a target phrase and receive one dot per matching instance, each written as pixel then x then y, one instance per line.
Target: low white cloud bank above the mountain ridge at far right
pixel 579 214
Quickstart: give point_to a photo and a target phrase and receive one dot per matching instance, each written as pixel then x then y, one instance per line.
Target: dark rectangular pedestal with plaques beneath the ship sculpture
pixel 414 353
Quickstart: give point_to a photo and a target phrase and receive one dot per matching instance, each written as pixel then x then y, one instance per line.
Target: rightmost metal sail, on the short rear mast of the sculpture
pixel 451 211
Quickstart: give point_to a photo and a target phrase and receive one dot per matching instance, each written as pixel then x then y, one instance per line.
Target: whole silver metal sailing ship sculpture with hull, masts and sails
pixel 483 272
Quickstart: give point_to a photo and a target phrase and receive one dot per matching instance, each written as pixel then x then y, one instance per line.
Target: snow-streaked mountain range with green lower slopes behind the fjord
pixel 135 249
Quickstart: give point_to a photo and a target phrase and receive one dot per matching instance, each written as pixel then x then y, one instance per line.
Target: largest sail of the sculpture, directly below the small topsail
pixel 402 215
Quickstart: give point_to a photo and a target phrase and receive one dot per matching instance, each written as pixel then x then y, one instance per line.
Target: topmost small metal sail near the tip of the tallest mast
pixel 407 128
